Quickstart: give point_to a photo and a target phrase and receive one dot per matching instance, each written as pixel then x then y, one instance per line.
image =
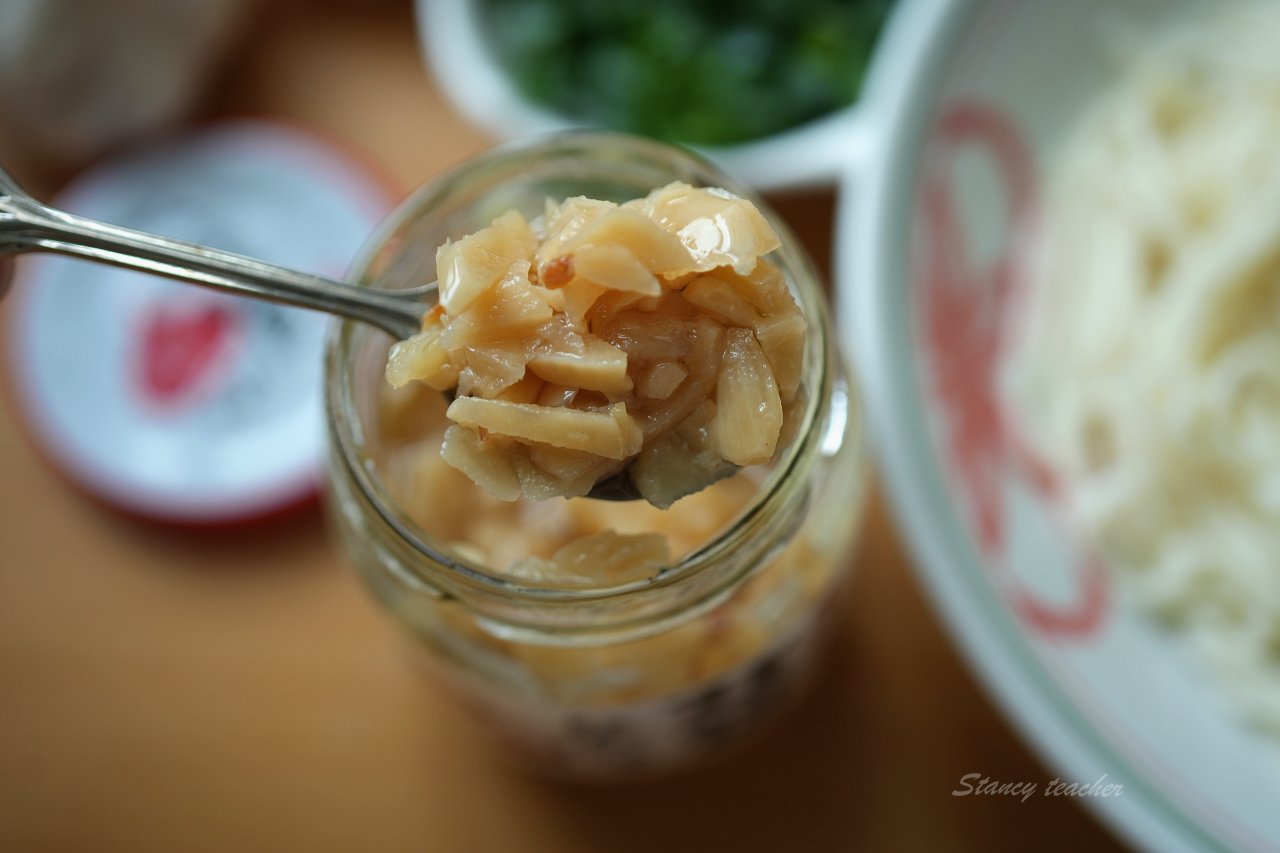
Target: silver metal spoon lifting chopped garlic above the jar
pixel 30 226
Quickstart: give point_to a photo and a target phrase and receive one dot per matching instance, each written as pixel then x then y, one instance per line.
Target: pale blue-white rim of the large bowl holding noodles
pixel 900 92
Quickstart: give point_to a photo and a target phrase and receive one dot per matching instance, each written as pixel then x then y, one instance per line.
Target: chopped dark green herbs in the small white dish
pixel 706 74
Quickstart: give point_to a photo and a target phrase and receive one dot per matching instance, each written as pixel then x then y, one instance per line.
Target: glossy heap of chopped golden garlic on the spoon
pixel 652 335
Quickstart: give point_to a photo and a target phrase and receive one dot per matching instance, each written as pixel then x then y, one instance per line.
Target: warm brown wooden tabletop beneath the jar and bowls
pixel 176 692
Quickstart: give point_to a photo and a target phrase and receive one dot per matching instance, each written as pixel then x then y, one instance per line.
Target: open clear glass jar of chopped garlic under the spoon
pixel 611 682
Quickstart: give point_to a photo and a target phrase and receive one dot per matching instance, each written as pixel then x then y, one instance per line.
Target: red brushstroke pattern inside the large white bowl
pixel 963 313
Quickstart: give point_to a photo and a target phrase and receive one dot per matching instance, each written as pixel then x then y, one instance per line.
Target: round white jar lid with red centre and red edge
pixel 168 400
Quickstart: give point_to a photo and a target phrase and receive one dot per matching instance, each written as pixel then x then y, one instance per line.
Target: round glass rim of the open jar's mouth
pixel 454 577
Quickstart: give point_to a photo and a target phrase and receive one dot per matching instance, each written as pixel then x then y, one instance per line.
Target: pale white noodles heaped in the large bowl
pixel 1149 372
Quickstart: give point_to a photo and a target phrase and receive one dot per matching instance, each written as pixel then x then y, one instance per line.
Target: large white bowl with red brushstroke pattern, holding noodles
pixel 972 98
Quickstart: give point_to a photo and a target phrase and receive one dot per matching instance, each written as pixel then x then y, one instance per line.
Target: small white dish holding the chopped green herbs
pixel 812 154
